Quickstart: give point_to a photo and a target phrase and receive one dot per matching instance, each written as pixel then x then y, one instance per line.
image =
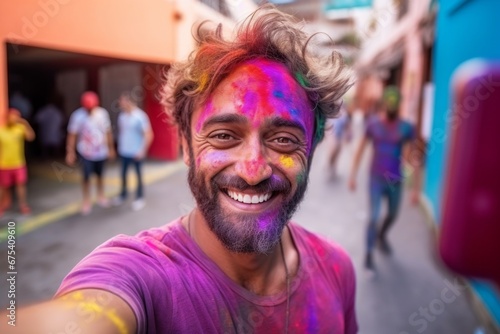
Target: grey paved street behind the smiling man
pixel 410 293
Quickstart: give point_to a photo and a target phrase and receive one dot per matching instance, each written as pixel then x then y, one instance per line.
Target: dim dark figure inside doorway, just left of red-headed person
pixel 49 122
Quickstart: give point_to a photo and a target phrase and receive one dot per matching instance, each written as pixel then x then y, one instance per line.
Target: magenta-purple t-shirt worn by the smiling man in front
pixel 173 287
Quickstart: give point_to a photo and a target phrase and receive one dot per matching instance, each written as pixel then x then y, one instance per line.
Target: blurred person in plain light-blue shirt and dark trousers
pixel 134 137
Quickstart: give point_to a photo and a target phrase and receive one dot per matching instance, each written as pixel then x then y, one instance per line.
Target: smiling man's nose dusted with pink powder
pixel 253 166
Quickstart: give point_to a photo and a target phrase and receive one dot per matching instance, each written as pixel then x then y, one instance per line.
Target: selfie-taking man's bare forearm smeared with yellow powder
pixel 82 311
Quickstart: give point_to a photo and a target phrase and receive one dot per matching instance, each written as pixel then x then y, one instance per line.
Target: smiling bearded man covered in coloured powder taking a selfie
pixel 251 112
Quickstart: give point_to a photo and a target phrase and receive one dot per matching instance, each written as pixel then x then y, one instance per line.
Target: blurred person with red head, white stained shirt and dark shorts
pixel 89 135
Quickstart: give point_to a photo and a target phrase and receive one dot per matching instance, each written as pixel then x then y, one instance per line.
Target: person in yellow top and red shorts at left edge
pixel 12 161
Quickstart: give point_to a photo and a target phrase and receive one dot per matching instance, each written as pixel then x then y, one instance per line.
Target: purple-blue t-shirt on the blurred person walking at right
pixel 388 139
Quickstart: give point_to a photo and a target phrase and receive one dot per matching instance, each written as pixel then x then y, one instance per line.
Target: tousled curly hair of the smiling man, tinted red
pixel 267 33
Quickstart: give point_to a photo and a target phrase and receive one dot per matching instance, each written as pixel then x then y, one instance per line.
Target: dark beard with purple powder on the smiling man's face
pixel 245 233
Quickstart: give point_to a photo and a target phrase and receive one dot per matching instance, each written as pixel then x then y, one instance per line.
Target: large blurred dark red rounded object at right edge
pixel 470 233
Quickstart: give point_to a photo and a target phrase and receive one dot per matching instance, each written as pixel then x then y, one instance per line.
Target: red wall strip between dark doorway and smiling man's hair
pixel 165 145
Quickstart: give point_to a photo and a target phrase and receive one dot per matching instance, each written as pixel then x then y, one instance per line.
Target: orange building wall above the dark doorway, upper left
pixel 127 29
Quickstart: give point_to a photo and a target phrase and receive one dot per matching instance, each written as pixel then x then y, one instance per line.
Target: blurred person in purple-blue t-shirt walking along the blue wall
pixel 389 135
